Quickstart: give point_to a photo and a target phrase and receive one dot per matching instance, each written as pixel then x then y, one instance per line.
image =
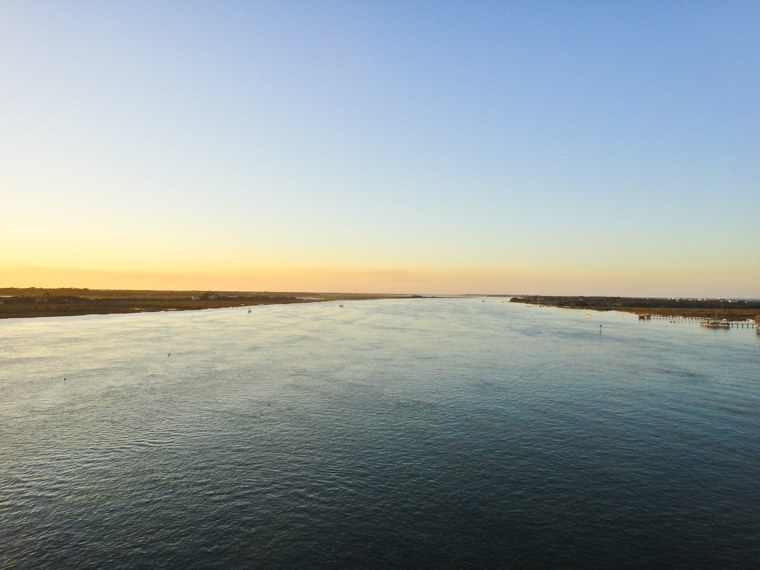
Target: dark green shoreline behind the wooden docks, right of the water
pixel 729 309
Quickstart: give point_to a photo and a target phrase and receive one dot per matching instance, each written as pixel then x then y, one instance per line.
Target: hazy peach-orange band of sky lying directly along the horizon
pixel 455 281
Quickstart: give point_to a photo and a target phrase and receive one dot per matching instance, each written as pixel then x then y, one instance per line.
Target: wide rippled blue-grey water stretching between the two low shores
pixel 386 434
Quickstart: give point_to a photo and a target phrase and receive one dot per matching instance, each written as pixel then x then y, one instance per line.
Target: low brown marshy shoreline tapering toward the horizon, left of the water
pixel 39 302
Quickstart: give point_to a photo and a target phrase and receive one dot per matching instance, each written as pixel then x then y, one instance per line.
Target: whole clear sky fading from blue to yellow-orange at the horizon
pixel 577 148
